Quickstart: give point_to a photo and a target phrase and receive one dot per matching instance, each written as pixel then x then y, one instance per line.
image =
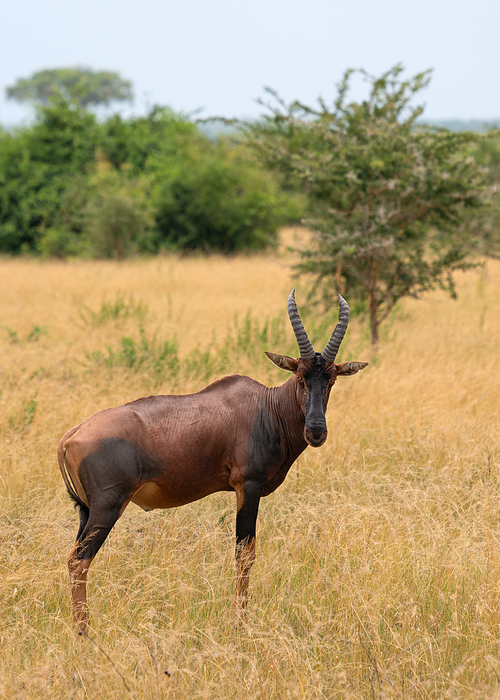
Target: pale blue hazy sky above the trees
pixel 218 54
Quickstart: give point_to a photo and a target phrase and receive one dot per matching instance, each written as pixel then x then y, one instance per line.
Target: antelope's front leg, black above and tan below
pixel 248 499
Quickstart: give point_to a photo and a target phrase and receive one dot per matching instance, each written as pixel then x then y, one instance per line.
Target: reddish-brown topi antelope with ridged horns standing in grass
pixel 166 451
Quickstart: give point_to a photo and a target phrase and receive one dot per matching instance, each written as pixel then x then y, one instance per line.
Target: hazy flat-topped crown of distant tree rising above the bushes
pixel 88 87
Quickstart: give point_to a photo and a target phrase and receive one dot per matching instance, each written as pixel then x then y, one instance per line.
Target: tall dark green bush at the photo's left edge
pixel 42 177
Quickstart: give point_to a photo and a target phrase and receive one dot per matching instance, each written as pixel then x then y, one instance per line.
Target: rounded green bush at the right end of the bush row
pixel 218 200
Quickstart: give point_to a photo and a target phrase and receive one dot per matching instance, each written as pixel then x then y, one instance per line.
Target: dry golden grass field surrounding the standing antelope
pixel 378 559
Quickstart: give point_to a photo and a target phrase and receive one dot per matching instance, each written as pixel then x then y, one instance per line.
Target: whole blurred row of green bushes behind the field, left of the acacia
pixel 73 186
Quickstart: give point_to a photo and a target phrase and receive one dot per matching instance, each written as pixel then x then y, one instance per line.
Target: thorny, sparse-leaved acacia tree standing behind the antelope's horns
pixel 387 196
